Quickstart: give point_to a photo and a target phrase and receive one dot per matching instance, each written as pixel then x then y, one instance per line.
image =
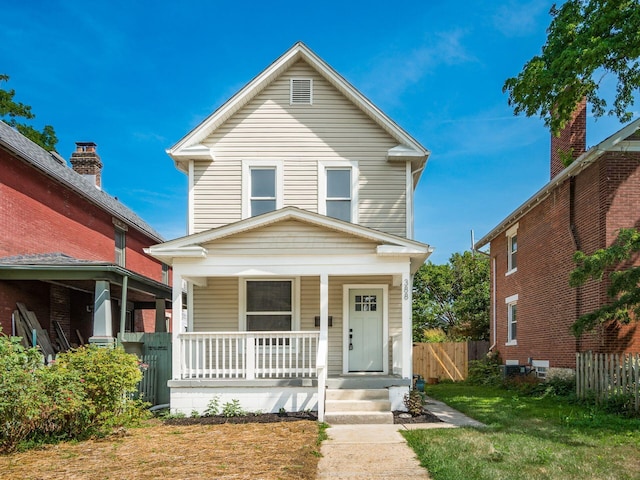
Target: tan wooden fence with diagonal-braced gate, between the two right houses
pixel 448 360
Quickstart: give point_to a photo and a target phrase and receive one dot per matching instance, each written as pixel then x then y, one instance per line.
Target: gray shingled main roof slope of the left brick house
pixel 44 161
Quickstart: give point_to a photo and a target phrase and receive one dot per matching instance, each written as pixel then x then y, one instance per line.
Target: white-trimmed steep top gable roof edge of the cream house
pixel 190 147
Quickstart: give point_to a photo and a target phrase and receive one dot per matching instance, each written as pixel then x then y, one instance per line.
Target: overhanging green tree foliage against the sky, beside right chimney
pixel 586 40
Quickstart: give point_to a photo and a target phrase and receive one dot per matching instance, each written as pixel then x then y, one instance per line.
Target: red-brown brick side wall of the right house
pixel 604 197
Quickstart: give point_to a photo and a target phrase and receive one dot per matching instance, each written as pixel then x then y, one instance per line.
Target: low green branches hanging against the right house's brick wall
pixel 624 280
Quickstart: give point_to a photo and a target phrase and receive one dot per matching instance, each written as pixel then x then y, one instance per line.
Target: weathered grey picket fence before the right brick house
pixel 608 375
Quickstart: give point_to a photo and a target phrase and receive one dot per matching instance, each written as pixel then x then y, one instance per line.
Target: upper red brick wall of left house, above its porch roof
pixel 38 215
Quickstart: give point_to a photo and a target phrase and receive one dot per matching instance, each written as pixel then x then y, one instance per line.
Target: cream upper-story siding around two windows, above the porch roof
pixel 269 128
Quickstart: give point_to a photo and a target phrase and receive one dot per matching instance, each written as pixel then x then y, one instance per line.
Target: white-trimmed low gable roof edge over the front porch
pixel 191 245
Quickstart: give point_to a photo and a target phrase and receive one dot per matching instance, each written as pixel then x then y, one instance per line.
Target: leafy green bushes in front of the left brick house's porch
pixel 83 393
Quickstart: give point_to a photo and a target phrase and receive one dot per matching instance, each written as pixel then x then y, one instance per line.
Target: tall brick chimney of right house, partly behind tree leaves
pixel 572 139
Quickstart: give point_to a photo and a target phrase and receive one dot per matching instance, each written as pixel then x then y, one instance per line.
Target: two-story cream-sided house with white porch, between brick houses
pixel 299 257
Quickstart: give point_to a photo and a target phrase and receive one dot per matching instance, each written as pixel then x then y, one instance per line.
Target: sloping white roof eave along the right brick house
pixel 619 141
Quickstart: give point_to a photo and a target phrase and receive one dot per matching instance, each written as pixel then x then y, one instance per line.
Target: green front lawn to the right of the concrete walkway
pixel 527 438
